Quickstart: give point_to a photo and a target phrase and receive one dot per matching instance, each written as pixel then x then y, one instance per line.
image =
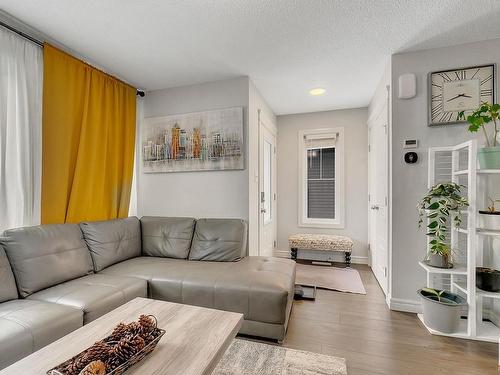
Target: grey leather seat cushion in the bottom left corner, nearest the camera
pixel 26 326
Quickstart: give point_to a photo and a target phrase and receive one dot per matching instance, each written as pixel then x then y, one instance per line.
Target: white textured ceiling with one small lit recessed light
pixel 285 46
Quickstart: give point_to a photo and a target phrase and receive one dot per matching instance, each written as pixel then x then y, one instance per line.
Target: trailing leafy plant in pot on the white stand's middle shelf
pixel 442 201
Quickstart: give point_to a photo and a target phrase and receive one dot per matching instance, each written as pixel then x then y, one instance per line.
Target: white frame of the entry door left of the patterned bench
pixel 266 125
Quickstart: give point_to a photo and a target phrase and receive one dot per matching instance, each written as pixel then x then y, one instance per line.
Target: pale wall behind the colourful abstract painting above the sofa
pixel 196 194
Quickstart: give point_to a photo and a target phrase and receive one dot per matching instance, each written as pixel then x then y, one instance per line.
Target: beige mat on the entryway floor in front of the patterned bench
pixel 327 277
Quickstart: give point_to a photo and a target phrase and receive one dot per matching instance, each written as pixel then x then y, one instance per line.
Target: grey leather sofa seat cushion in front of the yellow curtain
pixel 95 294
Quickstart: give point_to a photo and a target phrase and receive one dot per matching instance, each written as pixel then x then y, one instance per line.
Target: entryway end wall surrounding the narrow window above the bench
pixel 356 174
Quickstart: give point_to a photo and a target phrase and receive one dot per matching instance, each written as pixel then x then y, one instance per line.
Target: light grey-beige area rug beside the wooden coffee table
pixel 253 358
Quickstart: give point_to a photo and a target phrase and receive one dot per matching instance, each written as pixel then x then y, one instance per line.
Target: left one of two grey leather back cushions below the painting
pixel 167 236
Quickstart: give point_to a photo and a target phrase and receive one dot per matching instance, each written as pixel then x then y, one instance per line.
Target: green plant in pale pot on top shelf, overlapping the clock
pixel 489 156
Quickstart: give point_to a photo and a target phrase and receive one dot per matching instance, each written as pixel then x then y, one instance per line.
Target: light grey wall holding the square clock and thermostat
pixel 410 181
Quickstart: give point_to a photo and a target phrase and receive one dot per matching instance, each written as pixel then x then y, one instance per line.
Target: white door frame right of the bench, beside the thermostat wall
pixel 385 103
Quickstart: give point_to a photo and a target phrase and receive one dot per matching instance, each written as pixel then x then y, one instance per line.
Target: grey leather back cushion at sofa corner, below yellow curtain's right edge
pixel 112 241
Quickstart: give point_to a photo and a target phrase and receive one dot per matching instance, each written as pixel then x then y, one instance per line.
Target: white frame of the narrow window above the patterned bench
pixel 339 221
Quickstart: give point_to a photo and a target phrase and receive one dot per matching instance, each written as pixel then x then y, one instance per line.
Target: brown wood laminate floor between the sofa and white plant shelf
pixel 375 340
